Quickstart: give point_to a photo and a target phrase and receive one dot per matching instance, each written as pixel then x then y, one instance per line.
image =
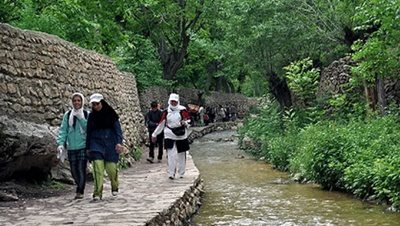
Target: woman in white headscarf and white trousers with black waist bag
pixel 174 123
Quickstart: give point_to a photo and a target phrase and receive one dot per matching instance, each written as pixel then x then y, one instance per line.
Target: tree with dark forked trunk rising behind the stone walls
pixel 170 25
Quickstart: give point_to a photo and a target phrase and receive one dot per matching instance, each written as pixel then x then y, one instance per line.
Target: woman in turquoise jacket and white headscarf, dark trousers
pixel 72 136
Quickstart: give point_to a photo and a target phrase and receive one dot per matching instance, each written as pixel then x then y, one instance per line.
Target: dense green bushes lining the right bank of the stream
pixel 361 156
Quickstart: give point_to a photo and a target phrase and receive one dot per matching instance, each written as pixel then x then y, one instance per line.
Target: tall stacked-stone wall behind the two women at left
pixel 39 72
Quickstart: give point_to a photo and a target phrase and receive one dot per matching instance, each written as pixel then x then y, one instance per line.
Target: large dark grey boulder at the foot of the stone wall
pixel 28 150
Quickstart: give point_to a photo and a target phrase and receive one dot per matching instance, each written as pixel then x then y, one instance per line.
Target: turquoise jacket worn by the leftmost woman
pixel 75 136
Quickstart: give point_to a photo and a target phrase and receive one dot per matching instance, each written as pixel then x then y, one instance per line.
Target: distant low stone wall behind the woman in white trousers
pixel 194 96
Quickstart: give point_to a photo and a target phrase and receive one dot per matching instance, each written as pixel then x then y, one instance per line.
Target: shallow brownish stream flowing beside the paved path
pixel 242 191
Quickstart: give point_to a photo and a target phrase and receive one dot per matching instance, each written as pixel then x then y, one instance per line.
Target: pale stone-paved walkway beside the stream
pixel 145 190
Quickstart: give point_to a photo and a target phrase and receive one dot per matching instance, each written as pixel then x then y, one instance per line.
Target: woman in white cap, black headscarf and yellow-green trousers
pixel 104 144
